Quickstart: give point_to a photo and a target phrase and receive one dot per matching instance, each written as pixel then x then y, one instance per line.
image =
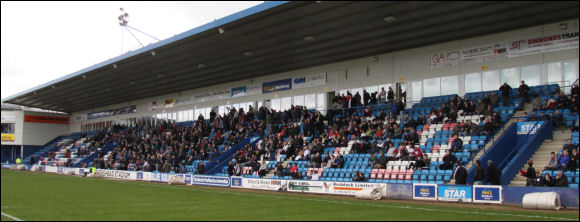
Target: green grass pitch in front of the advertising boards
pixel 41 196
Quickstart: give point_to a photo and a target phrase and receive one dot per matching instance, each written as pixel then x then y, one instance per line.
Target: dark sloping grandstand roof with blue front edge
pixel 273 37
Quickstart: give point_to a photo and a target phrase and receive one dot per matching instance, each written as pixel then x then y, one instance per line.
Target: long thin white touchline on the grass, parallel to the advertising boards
pixel 343 202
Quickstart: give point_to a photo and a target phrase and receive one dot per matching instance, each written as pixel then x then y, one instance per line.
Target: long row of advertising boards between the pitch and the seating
pixel 434 192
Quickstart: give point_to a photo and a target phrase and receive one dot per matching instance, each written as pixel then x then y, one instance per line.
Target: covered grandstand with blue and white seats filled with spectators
pixel 400 94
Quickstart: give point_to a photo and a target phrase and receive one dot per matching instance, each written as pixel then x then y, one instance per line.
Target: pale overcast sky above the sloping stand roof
pixel 43 41
